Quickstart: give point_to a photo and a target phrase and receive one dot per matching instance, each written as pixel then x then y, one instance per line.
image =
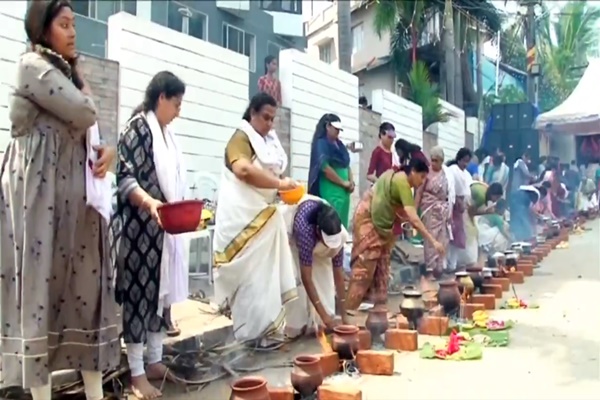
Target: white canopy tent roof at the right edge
pixel 579 114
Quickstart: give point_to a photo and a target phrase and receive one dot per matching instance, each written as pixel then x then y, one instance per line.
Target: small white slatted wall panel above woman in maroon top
pixel 405 115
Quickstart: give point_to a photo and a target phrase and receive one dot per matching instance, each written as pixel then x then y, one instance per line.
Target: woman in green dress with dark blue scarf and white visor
pixel 330 176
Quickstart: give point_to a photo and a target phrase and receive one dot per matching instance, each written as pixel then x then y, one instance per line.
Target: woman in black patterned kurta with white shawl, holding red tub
pixel 151 272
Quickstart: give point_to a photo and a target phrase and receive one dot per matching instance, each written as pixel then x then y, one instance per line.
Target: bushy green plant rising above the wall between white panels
pixel 424 92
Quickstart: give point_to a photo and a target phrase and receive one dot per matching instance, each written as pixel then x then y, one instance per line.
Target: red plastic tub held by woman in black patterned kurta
pixel 181 216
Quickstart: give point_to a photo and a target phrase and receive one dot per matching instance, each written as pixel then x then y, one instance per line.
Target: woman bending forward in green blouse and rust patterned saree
pixel 389 199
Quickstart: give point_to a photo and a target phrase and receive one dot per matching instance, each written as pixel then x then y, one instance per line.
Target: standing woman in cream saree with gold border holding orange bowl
pixel 254 269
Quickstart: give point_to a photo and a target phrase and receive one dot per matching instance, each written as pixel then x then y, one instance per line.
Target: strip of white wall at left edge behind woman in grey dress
pixel 12 45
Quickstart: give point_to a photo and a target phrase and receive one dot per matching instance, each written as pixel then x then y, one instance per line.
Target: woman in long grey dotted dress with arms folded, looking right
pixel 57 309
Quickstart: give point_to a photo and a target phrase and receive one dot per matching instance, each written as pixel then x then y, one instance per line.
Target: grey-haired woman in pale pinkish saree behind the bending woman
pixel 432 200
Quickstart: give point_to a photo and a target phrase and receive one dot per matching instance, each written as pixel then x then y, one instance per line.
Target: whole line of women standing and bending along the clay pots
pixel 66 265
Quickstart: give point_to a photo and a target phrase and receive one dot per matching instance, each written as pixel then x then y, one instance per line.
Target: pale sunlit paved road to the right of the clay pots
pixel 554 353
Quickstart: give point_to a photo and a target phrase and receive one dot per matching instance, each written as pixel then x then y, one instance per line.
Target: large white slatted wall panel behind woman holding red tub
pixel 216 85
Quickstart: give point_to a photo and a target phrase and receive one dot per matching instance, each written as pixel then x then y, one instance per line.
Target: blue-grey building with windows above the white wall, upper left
pixel 254 28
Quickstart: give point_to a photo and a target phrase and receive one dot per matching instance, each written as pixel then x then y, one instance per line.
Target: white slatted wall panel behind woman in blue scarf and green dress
pixel 310 89
